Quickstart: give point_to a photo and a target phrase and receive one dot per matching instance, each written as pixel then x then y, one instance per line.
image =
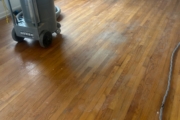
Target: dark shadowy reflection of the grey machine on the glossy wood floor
pixel 51 62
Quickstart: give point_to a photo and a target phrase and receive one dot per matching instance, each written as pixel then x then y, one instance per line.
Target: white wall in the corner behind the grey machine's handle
pixel 15 5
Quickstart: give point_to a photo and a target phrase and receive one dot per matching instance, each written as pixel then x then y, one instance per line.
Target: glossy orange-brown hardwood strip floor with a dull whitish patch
pixel 111 63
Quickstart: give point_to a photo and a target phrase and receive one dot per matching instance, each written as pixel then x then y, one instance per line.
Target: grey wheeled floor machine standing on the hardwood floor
pixel 38 20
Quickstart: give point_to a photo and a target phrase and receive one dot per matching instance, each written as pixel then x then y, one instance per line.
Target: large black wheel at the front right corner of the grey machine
pixel 45 39
